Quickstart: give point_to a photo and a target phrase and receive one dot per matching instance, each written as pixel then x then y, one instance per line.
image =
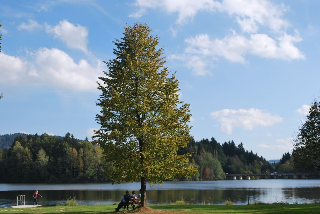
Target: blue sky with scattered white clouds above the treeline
pixel 248 68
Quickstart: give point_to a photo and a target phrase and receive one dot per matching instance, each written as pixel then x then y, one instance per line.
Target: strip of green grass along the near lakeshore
pixel 269 208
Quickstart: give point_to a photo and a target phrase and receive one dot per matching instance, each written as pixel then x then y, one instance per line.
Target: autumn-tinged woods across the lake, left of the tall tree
pixel 45 158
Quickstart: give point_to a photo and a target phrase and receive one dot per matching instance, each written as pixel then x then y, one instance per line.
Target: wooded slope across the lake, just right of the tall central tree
pixel 209 155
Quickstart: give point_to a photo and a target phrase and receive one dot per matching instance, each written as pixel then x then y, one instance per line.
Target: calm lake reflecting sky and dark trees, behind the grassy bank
pixel 195 192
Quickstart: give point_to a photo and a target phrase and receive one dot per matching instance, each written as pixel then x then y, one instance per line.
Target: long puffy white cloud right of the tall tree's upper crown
pixel 201 51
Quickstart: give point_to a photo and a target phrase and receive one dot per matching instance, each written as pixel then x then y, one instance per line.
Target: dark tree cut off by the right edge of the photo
pixel 306 153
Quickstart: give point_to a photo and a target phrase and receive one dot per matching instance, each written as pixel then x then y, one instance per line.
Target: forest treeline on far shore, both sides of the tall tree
pixel 52 159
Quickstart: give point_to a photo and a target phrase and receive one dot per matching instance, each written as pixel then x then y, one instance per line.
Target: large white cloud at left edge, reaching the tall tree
pixel 50 67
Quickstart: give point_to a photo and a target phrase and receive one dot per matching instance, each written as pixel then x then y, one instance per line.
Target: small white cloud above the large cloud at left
pixel 75 36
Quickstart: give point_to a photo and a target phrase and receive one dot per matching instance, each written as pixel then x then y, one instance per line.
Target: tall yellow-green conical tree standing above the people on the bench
pixel 143 122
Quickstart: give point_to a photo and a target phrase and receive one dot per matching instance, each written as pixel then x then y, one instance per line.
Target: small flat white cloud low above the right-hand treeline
pixel 245 119
